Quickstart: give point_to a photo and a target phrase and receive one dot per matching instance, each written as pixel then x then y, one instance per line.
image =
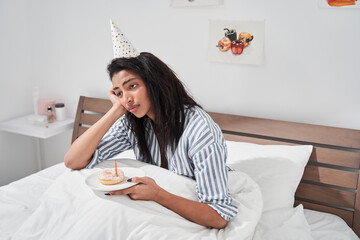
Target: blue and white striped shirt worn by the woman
pixel 201 154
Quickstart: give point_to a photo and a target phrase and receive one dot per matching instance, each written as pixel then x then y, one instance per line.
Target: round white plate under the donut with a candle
pixel 93 182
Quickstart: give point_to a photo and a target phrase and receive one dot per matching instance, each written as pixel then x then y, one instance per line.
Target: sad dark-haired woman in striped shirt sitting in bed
pixel 153 115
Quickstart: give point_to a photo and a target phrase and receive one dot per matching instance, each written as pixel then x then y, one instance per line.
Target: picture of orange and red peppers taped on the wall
pixel 239 42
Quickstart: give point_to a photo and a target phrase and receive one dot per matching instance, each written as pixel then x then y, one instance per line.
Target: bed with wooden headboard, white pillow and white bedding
pixel 290 181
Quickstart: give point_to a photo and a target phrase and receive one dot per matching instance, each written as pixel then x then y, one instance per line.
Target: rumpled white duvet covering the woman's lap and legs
pixel 69 209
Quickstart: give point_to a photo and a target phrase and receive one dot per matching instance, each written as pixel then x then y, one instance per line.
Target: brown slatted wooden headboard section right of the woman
pixel 331 179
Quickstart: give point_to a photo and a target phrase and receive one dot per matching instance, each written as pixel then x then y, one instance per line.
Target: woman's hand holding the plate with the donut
pixel 146 189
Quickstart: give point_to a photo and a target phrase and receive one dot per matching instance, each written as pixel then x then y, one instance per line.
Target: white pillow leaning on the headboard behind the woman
pixel 277 169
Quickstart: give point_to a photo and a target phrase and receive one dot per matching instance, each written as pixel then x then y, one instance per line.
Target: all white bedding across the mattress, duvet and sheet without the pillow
pixel 56 204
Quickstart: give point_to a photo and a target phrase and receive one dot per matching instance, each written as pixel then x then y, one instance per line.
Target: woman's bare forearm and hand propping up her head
pixel 82 149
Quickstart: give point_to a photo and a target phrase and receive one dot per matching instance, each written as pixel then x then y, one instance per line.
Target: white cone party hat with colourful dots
pixel 122 46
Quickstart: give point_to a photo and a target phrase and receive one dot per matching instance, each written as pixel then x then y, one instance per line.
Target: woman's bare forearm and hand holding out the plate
pixel 197 212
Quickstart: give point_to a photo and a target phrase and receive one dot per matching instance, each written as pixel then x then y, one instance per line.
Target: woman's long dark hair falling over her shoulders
pixel 168 98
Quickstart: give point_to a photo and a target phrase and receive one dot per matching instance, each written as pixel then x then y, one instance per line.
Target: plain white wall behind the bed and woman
pixel 310 72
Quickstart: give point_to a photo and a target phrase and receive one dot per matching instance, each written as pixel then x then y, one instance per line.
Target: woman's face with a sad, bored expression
pixel 133 95
